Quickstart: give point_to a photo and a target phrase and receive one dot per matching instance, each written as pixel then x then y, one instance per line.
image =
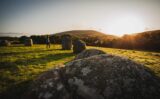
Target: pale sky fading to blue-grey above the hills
pixel 115 17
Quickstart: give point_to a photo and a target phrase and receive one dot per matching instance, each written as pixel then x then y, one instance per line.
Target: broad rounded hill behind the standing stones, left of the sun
pixel 91 37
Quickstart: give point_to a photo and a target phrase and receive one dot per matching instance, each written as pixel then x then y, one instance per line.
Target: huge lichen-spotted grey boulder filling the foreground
pixel 97 77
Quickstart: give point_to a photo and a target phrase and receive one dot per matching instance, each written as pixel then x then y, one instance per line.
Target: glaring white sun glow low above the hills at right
pixel 126 24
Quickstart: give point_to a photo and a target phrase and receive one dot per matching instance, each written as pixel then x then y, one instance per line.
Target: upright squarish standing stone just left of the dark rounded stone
pixel 66 42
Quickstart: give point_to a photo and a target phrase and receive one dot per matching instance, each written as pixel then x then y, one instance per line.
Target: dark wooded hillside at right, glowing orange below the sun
pixel 149 40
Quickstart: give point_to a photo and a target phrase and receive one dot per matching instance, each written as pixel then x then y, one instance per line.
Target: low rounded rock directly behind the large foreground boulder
pixel 89 52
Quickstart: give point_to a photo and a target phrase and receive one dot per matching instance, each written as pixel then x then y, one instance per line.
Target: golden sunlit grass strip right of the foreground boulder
pixel 143 57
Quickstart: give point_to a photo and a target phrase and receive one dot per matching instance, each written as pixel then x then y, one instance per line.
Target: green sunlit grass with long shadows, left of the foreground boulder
pixel 19 64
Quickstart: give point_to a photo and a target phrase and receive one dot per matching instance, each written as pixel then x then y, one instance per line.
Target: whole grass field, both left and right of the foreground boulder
pixel 19 65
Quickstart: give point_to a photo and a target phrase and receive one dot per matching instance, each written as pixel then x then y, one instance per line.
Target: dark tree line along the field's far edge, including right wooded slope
pixel 145 41
